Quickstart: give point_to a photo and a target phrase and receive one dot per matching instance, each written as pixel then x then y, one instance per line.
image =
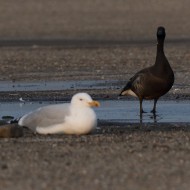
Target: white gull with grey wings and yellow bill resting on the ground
pixel 71 118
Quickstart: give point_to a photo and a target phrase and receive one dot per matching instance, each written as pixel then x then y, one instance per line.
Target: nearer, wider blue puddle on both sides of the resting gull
pixel 115 111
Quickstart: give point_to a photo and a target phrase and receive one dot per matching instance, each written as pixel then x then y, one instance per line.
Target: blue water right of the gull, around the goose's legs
pixel 128 111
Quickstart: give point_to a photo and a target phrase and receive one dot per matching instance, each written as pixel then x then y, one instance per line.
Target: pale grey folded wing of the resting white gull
pixel 45 116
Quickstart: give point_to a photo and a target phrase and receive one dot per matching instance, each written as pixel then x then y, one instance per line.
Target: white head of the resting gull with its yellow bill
pixel 84 100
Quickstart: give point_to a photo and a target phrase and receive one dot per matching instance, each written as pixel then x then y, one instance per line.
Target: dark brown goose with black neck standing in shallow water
pixel 152 82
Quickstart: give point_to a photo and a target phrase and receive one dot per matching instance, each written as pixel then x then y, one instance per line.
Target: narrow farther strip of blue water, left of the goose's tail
pixel 60 85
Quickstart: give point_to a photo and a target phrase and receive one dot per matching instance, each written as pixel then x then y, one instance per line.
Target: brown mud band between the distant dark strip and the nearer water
pixel 62 63
